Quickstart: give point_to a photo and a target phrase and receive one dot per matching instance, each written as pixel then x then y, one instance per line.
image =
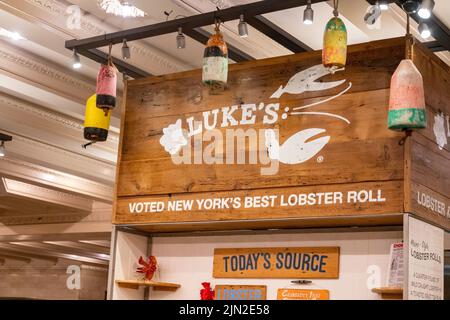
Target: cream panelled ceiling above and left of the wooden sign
pixel 47 178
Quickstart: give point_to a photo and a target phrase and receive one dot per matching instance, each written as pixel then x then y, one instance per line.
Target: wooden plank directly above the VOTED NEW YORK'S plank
pixel 347 162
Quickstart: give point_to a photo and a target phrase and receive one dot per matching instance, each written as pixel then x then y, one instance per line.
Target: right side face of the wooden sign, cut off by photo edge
pixel 427 171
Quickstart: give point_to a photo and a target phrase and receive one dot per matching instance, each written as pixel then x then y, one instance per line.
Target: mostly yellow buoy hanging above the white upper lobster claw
pixel 334 53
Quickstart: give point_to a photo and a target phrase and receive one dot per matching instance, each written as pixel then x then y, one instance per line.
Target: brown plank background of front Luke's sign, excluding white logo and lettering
pixel 362 155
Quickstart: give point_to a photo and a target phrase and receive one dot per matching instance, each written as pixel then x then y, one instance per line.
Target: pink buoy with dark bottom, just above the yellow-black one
pixel 107 87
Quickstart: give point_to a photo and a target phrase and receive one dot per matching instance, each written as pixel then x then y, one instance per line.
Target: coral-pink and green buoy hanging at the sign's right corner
pixel 407 98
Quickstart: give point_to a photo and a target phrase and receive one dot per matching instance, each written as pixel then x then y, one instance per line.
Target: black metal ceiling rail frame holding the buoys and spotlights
pixel 252 12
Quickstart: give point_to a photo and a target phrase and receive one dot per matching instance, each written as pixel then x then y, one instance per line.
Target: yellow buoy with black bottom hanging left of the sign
pixel 96 123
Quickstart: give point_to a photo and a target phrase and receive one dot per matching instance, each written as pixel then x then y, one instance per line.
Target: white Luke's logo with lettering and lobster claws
pixel 233 145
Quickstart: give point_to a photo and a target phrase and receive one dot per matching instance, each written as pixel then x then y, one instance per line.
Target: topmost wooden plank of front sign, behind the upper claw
pixel 183 95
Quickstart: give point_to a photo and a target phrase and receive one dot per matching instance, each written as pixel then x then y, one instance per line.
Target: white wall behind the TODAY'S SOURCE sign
pixel 189 261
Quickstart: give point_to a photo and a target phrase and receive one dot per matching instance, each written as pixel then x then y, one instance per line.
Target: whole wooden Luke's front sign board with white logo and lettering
pixel 286 141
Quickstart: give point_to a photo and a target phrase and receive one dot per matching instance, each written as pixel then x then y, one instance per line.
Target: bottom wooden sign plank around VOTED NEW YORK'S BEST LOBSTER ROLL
pixel 392 191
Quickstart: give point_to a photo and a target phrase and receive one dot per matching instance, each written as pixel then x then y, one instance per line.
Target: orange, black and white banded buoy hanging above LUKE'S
pixel 215 61
